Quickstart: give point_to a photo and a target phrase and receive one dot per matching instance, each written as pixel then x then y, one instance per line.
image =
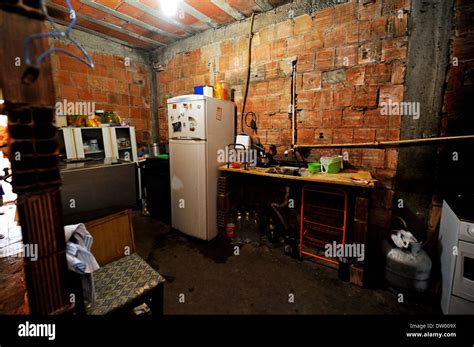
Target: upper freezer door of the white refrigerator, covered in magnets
pixel 187 117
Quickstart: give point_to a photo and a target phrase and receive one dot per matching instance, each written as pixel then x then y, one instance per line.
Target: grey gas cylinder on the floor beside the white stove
pixel 407 267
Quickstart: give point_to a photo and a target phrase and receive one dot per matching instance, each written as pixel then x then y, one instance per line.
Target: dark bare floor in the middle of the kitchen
pixel 258 281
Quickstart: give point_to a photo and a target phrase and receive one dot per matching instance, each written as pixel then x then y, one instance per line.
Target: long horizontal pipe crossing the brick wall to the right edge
pixel 390 143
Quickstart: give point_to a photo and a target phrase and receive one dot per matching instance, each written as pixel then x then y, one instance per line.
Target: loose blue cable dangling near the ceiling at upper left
pixel 32 71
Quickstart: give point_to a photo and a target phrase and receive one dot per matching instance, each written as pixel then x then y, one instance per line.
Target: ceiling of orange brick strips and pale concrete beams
pixel 142 23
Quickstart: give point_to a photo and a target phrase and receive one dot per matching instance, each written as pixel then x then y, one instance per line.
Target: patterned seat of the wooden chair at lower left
pixel 120 282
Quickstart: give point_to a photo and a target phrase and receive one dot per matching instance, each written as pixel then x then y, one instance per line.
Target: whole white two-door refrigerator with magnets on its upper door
pixel 199 127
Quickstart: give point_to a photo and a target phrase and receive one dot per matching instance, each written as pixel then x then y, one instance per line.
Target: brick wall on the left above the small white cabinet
pixel 112 85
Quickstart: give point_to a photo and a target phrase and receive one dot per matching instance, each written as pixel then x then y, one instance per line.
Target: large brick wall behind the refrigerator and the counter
pixel 350 56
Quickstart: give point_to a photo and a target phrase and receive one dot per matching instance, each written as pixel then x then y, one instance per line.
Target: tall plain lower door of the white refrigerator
pixel 188 187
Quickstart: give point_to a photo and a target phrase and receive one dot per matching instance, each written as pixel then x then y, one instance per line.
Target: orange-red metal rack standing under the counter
pixel 323 221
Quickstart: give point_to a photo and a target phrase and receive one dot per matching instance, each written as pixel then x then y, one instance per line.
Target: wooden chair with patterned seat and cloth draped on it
pixel 124 279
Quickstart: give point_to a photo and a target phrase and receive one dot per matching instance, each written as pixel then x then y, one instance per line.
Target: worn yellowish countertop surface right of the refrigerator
pixel 341 178
